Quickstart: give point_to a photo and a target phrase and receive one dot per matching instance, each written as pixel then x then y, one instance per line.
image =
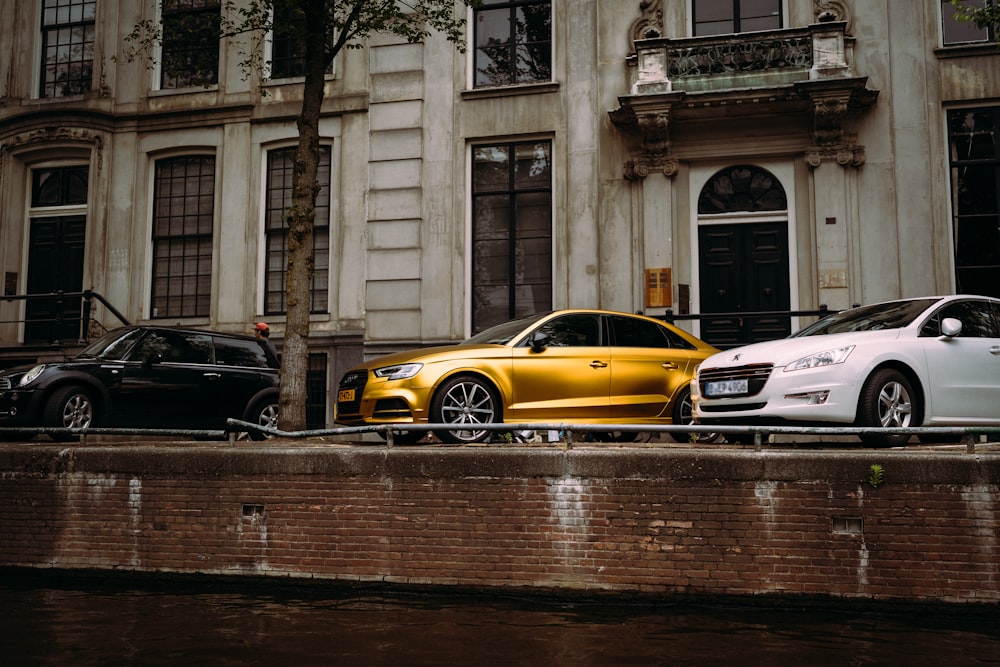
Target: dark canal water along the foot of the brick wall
pixel 97 622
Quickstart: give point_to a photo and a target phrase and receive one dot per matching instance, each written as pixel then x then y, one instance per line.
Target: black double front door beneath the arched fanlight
pixel 744 269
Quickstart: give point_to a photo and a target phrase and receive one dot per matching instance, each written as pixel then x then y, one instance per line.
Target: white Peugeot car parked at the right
pixel 932 361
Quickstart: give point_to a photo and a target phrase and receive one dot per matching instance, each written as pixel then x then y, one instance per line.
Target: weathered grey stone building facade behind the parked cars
pixel 701 156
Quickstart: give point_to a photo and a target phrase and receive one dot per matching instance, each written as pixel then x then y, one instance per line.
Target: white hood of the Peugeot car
pixel 786 350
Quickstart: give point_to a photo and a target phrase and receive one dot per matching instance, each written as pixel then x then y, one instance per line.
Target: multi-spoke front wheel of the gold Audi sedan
pixel 465 401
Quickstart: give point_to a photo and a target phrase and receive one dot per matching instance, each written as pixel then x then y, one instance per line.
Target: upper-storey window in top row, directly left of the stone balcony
pixel 513 42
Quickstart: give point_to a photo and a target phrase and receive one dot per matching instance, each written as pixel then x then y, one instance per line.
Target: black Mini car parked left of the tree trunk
pixel 147 377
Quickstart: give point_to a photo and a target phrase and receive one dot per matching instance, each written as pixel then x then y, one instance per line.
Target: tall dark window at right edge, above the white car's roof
pixel 975 174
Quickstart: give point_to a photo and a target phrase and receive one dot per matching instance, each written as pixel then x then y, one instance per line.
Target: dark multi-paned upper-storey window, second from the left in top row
pixel 190 43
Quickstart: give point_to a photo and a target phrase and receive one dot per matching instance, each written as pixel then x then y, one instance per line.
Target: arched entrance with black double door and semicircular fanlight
pixel 743 264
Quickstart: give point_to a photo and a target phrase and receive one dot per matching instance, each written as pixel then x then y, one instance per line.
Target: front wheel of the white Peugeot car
pixel 887 400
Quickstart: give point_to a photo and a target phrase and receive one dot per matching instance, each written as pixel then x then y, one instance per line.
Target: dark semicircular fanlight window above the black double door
pixel 742 188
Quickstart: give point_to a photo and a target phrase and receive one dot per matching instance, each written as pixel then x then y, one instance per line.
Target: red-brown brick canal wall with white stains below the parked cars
pixel 658 521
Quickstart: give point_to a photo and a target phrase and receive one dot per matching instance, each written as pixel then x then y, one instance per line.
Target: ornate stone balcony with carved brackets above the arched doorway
pixel 786 79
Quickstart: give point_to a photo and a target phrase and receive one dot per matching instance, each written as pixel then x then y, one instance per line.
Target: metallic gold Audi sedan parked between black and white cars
pixel 568 366
